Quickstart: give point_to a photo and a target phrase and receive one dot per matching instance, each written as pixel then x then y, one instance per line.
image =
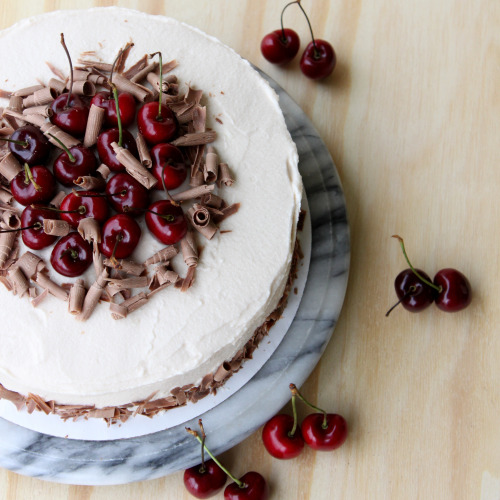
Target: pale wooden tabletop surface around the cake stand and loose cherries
pixel 411 118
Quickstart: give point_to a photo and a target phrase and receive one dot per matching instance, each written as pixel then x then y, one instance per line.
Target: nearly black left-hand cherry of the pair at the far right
pixel 414 294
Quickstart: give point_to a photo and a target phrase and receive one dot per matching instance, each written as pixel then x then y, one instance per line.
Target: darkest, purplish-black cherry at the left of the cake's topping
pixel 31 145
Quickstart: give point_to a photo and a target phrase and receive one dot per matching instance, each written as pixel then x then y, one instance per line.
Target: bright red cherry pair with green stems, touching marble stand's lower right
pixel 321 431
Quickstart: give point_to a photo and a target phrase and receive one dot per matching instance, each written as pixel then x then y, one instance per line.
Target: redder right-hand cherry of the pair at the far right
pixel 456 292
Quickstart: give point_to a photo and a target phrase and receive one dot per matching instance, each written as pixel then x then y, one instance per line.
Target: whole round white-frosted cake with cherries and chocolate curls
pixel 144 251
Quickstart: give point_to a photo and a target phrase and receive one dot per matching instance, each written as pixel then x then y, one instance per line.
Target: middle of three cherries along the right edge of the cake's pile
pixel 168 159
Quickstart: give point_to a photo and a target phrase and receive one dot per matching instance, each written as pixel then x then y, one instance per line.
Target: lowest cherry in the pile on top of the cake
pixel 71 255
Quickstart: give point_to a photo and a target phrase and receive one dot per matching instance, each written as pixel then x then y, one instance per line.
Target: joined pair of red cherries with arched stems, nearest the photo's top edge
pixel 281 46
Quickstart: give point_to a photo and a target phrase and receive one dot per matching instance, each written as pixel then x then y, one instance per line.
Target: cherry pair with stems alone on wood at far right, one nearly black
pixel 450 290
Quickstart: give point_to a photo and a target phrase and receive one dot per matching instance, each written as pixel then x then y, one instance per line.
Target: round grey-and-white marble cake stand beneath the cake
pixel 122 461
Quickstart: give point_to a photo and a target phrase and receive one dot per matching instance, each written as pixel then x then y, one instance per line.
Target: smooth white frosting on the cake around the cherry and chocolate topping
pixel 177 337
